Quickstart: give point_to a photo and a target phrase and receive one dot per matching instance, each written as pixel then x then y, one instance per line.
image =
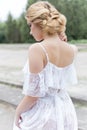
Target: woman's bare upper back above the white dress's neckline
pixel 60 53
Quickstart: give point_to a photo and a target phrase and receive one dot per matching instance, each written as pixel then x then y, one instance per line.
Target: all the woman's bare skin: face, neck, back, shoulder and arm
pixel 60 54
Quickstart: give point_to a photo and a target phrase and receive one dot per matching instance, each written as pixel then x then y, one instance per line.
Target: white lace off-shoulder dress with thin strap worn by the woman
pixel 54 109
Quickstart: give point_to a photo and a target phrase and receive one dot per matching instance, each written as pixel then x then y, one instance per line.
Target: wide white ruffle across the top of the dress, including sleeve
pixel 48 81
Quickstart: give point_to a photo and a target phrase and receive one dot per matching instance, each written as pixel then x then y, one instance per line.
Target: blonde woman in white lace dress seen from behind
pixel 49 69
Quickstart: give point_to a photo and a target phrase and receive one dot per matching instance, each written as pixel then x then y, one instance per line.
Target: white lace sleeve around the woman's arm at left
pixel 32 85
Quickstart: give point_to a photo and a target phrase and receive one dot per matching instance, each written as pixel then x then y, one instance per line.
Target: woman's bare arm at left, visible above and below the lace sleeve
pixel 35 65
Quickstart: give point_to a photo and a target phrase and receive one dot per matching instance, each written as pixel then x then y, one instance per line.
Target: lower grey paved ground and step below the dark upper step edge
pixel 12 97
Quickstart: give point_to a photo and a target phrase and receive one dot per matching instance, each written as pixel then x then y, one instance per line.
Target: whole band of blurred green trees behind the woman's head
pixel 17 31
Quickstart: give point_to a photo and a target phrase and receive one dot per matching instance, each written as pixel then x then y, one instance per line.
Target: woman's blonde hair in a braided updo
pixel 47 17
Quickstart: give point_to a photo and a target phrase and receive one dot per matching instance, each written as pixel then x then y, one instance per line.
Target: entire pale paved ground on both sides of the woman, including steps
pixel 12 60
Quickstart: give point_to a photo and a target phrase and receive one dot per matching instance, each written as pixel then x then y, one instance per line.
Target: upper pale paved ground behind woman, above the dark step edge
pixel 13 58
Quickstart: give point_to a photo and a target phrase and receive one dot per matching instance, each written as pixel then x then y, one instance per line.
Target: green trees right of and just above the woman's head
pixel 76 13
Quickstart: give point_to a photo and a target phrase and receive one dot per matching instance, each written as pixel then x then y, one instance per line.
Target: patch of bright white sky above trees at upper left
pixel 15 7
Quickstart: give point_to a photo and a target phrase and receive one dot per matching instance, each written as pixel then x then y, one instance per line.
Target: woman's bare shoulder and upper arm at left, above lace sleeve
pixel 35 58
